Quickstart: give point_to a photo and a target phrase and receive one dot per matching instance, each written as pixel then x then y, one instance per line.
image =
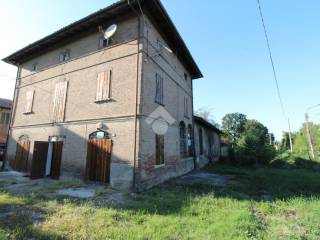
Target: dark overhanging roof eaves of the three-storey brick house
pixel 153 8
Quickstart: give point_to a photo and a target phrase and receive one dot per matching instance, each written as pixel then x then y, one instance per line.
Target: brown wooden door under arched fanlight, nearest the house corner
pixel 98 160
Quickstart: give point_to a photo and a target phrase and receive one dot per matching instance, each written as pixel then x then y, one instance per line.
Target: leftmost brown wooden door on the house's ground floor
pixel 20 163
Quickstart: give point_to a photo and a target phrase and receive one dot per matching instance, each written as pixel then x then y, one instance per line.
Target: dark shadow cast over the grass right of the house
pixel 218 181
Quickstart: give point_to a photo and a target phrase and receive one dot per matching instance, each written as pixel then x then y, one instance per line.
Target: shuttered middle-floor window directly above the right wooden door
pixel 104 86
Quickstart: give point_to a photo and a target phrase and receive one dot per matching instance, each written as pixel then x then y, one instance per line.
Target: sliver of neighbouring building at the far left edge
pixel 5 110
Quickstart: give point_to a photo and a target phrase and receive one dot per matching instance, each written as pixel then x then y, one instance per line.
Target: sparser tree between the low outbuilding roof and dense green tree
pixel 233 126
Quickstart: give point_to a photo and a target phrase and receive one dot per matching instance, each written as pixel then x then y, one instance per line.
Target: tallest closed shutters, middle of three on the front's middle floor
pixel 59 101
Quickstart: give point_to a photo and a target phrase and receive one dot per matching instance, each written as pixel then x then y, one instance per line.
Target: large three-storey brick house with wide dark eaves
pixel 118 111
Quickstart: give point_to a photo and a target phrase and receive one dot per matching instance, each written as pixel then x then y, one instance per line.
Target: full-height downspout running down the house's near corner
pixel 134 189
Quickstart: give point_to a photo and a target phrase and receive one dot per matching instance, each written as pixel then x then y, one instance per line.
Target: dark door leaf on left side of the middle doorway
pixel 38 165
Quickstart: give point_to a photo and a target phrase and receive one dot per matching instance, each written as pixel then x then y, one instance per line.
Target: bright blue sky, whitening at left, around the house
pixel 225 38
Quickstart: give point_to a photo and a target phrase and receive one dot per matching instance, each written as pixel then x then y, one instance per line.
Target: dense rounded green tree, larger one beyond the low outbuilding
pixel 253 145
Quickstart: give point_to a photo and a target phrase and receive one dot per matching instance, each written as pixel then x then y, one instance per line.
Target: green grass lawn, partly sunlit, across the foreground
pixel 261 203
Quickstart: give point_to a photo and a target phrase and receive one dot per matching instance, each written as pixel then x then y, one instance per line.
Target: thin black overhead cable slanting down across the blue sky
pixel 271 59
